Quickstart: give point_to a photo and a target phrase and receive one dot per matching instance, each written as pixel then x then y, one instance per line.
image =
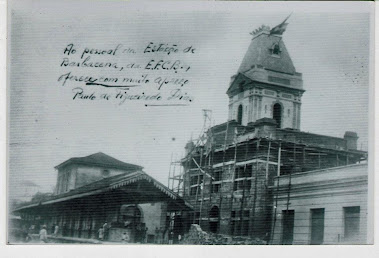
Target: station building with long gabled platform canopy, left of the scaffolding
pixel 98 189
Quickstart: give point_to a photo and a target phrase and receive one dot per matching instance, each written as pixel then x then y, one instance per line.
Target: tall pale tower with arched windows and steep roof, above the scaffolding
pixel 266 84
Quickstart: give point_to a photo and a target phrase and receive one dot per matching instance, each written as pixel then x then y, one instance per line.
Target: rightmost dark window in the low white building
pixel 351 216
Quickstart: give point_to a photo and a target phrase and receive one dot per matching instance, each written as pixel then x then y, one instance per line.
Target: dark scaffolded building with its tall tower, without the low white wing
pixel 231 174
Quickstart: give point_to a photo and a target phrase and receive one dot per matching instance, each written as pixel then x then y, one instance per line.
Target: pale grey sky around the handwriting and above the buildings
pixel 46 127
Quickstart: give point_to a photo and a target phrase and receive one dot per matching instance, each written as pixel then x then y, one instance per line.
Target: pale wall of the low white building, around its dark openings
pixel 330 189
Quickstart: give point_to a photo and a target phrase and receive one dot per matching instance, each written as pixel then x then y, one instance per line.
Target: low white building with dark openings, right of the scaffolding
pixel 327 206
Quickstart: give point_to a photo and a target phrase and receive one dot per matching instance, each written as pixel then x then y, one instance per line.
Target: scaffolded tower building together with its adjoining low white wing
pixel 259 175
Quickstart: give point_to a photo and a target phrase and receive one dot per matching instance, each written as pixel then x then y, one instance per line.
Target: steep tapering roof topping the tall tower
pixel 260 53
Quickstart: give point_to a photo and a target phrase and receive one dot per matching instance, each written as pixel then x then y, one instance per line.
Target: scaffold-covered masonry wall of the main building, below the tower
pixel 255 201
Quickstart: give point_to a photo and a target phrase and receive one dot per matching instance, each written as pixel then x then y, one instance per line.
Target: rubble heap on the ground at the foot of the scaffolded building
pixel 196 236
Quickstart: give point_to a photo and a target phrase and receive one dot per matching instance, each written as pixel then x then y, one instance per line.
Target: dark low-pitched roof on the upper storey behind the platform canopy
pixel 100 159
